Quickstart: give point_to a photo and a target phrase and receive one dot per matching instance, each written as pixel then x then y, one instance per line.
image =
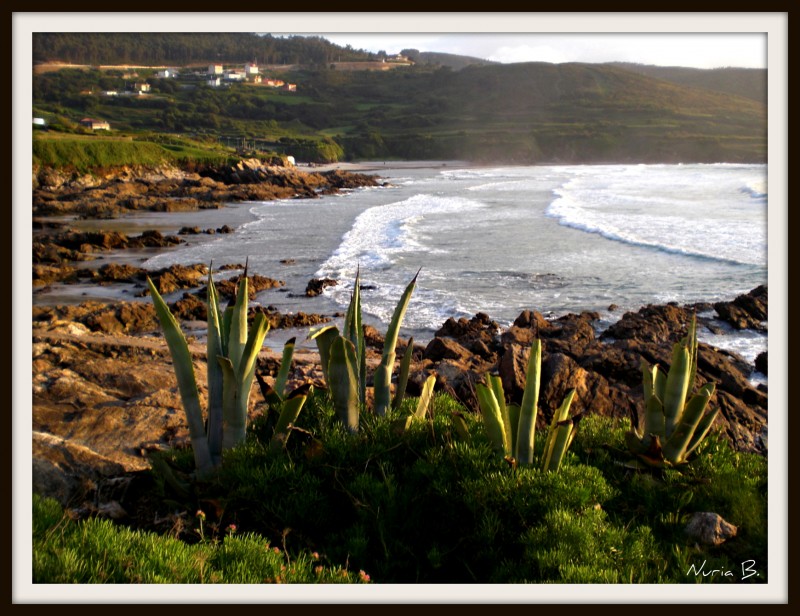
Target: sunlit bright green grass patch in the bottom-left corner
pixel 95 551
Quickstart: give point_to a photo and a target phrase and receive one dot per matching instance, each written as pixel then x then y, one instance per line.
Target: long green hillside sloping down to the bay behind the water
pixel 517 113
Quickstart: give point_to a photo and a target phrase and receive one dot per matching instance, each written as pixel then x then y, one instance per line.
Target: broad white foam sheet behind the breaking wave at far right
pixel 692 213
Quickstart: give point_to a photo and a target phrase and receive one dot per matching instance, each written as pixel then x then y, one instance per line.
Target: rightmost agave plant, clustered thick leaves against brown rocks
pixel 673 426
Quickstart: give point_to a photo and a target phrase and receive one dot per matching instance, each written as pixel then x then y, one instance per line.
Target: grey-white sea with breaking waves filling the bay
pixel 503 239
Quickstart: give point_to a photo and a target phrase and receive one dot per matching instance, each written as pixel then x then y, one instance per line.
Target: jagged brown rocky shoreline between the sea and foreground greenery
pixel 104 393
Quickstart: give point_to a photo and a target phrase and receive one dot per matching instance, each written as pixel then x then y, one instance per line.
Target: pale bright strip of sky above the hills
pixel 697 50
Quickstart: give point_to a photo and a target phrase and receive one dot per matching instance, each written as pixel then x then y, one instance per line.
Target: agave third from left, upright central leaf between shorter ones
pixel 512 428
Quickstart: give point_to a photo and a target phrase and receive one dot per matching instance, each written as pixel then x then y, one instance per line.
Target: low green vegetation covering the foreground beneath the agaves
pixel 425 502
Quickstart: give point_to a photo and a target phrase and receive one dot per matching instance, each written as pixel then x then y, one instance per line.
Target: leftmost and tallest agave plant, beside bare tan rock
pixel 231 350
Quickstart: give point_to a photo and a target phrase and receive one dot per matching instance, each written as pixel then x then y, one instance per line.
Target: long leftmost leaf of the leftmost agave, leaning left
pixel 187 385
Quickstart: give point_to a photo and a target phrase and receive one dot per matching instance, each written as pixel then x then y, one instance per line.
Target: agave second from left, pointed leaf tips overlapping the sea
pixel 344 364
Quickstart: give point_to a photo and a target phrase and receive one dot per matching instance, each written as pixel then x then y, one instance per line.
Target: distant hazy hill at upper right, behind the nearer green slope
pixel 748 82
